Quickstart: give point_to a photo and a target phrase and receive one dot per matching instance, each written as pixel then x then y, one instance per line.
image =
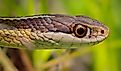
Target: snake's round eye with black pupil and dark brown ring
pixel 80 30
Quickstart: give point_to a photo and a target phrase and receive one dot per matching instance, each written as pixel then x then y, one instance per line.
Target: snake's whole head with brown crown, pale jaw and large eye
pixel 75 31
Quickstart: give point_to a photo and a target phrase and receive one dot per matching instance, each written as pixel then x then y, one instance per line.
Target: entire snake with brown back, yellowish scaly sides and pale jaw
pixel 51 31
